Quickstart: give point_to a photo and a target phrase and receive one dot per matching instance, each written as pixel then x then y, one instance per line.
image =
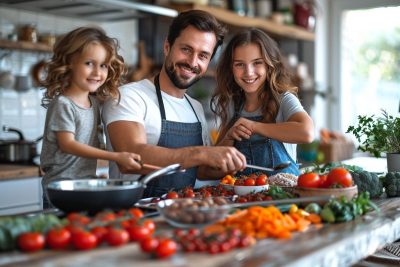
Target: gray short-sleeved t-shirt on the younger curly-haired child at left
pixel 85 123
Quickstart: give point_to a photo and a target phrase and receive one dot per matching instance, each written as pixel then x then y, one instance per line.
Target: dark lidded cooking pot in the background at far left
pixel 18 150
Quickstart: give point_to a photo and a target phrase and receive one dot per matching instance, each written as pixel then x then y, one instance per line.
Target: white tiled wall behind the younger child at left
pixel 22 109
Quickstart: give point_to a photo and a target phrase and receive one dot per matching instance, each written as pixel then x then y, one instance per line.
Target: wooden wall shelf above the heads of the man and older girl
pixel 233 19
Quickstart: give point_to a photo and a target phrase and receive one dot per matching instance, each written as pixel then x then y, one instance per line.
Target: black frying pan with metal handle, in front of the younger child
pixel 96 194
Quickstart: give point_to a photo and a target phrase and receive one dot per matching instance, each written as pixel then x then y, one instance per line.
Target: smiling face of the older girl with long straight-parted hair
pixel 249 68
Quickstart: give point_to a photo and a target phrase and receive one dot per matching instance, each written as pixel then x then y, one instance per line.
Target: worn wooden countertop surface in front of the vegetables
pixel 332 245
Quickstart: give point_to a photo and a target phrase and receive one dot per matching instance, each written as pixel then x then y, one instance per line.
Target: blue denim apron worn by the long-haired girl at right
pixel 263 151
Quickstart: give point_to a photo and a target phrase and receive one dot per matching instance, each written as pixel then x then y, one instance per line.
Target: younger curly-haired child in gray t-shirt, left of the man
pixel 84 69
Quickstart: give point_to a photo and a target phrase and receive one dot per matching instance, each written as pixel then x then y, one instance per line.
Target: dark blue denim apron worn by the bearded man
pixel 174 135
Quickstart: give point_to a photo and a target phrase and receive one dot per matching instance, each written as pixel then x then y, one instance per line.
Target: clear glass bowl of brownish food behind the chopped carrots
pixel 193 212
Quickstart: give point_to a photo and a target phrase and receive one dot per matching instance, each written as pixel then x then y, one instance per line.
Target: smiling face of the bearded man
pixel 187 59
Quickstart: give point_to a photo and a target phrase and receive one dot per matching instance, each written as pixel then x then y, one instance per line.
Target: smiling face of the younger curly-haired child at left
pixel 89 69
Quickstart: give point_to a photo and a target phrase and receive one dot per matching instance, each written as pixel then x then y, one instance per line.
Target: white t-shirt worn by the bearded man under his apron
pixel 138 103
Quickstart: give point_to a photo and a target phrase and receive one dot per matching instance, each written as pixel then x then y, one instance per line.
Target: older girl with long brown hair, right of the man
pixel 257 103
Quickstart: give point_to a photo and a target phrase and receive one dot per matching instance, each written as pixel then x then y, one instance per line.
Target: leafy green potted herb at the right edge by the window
pixel 379 135
